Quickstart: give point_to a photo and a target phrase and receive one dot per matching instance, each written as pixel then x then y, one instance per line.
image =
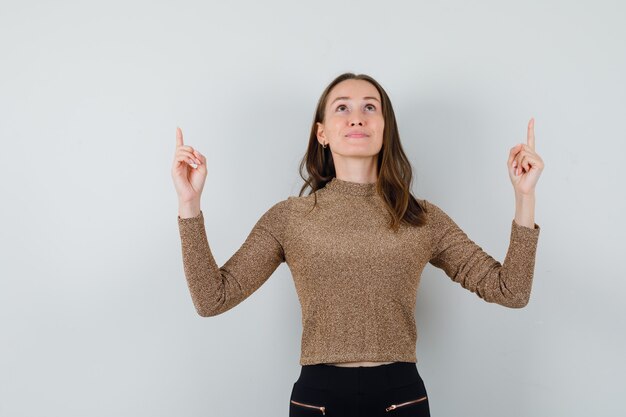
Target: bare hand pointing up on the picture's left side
pixel 188 181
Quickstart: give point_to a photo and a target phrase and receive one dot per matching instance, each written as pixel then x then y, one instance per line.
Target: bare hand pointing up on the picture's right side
pixel 524 164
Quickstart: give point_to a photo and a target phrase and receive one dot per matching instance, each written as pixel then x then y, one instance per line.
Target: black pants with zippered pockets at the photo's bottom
pixel 394 389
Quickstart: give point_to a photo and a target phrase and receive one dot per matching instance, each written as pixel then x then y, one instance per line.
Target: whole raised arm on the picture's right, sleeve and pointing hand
pixel 509 283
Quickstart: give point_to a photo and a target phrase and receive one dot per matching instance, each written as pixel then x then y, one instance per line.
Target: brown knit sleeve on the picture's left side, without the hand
pixel 215 289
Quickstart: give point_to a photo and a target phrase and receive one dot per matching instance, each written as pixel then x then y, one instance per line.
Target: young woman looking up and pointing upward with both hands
pixel 356 245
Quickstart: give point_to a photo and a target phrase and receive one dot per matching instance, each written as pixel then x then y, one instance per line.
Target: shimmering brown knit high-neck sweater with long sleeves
pixel 356 279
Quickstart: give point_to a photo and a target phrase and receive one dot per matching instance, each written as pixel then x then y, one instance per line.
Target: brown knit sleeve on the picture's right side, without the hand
pixel 508 284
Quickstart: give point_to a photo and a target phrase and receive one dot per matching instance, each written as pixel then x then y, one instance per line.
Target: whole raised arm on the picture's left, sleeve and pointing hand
pixel 215 289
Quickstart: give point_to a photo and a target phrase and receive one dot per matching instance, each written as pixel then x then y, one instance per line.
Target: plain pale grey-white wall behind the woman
pixel 95 314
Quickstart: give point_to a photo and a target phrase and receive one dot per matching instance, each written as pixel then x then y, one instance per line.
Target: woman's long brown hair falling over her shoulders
pixel 395 174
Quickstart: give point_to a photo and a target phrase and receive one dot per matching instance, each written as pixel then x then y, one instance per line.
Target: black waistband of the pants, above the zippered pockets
pixel 361 379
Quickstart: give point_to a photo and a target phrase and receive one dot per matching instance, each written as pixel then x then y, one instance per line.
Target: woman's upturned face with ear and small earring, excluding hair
pixel 353 121
